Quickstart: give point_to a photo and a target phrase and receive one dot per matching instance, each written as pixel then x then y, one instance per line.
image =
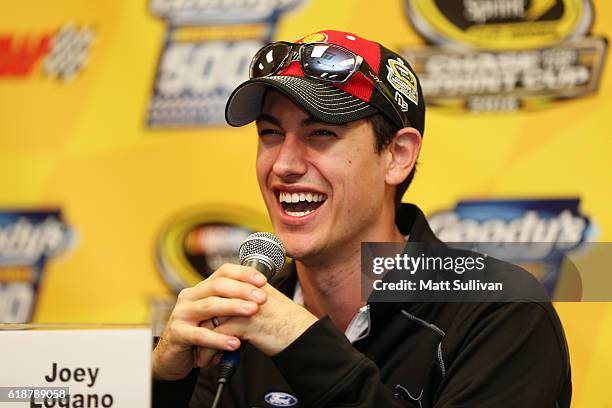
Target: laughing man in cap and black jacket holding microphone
pixel 340 122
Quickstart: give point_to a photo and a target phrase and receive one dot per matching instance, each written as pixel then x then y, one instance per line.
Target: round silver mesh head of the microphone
pixel 262 245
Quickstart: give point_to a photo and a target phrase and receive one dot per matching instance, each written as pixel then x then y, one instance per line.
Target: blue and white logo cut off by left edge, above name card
pixel 28 239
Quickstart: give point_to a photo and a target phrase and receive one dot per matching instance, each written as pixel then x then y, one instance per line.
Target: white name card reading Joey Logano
pixel 101 366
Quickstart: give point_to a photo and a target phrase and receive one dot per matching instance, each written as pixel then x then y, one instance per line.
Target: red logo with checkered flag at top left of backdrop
pixel 60 54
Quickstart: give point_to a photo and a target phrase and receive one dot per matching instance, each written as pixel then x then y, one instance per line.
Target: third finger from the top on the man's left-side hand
pixel 214 306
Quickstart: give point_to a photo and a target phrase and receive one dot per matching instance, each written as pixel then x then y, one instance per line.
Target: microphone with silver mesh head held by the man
pixel 264 252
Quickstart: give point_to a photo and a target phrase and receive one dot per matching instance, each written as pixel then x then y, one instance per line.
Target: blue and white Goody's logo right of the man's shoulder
pixel 554 227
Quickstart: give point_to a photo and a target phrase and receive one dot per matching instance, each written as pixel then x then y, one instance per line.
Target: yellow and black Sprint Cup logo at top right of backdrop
pixel 505 55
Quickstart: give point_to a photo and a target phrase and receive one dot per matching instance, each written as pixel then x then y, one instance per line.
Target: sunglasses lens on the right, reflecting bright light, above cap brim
pixel 326 62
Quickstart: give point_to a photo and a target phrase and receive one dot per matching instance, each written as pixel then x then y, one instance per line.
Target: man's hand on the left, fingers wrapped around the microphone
pixel 232 290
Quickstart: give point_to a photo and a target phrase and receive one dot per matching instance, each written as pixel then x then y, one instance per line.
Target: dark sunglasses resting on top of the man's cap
pixel 323 62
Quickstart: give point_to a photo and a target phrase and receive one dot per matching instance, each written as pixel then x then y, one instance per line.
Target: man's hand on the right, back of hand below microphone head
pixel 275 326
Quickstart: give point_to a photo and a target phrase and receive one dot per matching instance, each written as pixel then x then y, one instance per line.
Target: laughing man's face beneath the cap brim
pixel 323 185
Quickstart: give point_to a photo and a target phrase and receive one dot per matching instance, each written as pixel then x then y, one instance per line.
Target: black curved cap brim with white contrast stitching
pixel 324 102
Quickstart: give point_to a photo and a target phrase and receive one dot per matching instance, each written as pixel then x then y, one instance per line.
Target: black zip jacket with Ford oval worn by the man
pixel 415 355
